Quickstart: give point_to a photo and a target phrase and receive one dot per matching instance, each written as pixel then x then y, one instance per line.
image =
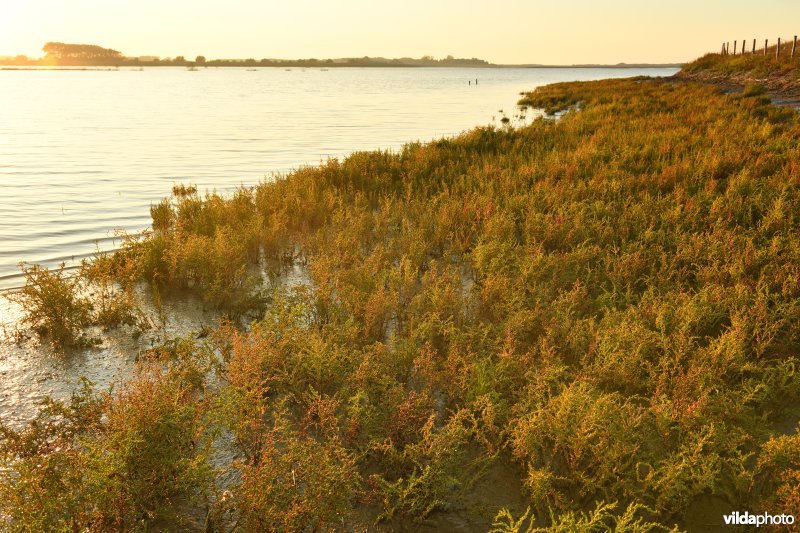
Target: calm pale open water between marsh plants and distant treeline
pixel 85 152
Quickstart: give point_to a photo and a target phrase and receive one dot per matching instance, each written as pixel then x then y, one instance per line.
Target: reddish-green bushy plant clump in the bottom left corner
pixel 111 461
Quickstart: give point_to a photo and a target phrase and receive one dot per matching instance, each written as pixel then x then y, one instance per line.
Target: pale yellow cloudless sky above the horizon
pixel 500 31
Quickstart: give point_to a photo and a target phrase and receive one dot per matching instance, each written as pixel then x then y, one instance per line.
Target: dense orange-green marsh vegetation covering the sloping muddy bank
pixel 479 305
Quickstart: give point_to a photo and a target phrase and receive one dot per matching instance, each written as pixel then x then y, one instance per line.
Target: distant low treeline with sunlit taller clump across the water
pixel 85 55
